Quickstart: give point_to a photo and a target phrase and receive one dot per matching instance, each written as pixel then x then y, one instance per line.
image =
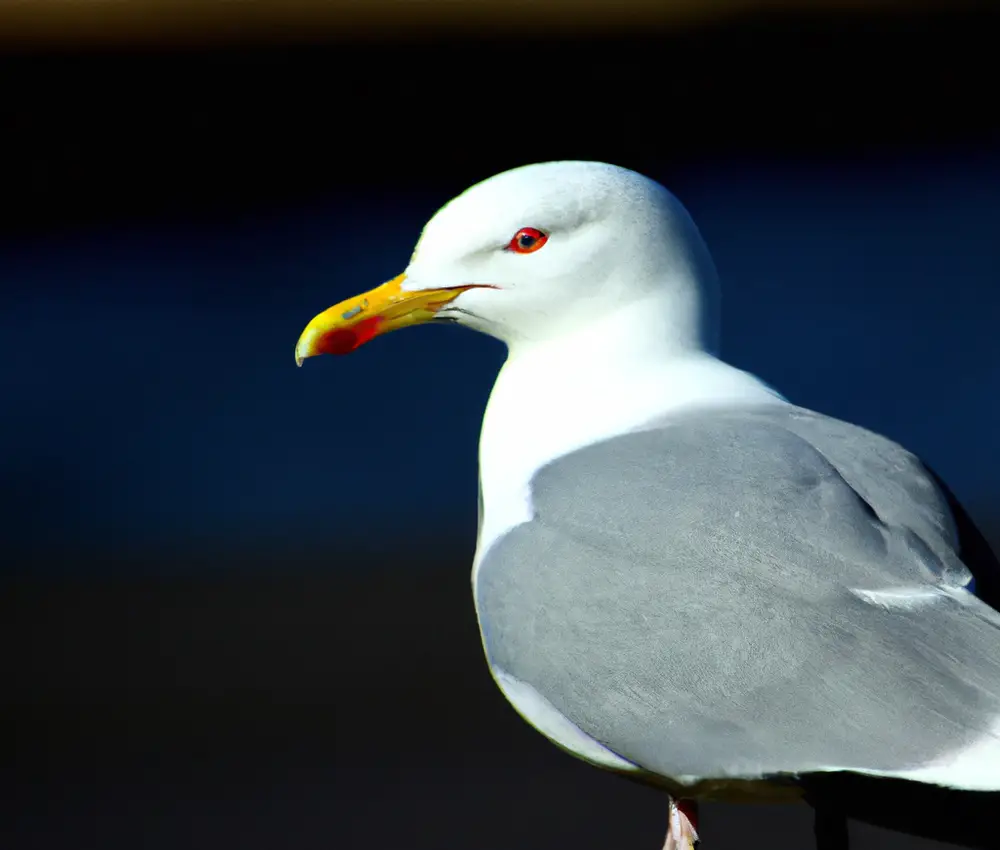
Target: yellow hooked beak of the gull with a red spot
pixel 351 323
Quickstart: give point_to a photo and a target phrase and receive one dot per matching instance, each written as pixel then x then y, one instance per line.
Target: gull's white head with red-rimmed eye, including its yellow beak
pixel 541 252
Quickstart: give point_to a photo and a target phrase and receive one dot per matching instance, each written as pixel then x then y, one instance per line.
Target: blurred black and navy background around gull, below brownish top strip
pixel 235 603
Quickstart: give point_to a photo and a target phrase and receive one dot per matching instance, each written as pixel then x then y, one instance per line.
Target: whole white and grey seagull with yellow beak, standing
pixel 680 575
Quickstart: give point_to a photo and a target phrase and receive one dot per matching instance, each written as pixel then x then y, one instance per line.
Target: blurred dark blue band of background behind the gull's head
pixel 151 396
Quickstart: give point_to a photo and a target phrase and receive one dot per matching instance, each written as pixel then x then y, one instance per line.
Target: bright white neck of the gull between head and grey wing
pixel 607 379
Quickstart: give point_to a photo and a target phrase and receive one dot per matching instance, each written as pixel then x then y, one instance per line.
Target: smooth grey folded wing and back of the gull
pixel 746 593
